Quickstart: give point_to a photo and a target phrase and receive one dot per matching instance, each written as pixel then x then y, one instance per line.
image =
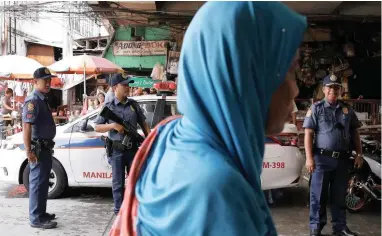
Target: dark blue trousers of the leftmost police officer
pixel 39 186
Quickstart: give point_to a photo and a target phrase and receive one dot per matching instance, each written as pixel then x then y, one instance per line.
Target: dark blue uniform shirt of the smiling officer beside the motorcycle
pixel 333 125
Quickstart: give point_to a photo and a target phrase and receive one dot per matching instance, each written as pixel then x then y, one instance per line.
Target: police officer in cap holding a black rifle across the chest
pixel 121 155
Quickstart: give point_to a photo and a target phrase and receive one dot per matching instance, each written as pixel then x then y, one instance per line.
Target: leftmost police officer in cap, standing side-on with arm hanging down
pixel 39 130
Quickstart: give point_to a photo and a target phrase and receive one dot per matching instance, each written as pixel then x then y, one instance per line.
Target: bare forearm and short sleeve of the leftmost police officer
pixel 29 116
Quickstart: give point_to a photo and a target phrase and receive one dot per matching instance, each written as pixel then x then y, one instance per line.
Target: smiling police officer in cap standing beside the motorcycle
pixel 330 131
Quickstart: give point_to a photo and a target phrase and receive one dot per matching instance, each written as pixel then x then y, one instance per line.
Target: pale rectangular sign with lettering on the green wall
pixel 140 48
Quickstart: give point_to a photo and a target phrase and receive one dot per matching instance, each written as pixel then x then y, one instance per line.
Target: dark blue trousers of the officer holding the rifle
pixel 120 164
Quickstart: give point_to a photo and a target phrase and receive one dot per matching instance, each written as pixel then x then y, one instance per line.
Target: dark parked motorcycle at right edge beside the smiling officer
pixel 364 184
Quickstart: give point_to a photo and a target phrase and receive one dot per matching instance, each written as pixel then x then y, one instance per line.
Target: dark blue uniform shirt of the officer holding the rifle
pixel 127 112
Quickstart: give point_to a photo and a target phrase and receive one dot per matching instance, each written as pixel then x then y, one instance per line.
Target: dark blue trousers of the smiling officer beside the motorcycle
pixel 330 178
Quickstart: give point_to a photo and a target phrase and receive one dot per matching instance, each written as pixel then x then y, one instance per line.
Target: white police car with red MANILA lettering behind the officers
pixel 80 157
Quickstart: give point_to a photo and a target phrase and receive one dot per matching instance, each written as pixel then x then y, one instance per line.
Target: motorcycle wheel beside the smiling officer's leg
pixel 357 198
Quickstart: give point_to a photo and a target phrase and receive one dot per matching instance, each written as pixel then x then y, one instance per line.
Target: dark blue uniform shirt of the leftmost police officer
pixel 37 112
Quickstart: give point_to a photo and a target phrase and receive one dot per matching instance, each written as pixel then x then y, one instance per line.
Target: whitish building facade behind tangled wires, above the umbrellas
pixel 45 31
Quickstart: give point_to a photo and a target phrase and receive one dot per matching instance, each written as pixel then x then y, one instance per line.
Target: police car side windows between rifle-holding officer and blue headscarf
pixel 148 108
